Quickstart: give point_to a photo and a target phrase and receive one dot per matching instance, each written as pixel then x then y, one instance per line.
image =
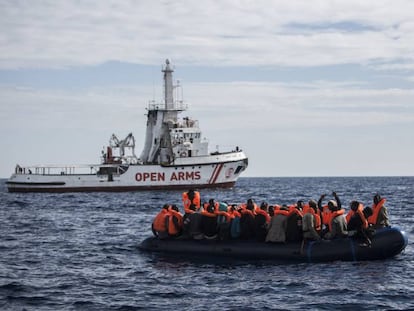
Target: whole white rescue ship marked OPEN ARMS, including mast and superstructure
pixel 175 156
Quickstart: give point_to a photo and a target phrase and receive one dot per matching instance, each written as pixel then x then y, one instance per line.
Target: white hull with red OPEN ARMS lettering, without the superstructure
pixel 206 172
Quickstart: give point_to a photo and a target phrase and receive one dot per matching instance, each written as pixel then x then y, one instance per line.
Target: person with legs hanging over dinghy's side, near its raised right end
pixel 357 223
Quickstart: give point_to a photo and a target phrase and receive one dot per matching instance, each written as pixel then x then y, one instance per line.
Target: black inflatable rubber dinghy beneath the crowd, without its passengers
pixel 386 243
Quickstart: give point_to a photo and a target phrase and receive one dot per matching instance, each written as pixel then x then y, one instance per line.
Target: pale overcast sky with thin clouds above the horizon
pixel 305 88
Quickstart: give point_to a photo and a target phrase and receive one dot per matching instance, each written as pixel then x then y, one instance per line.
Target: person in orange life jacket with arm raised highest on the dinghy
pixel 337 221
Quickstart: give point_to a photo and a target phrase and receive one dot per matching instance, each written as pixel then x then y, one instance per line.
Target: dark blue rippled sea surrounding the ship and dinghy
pixel 78 251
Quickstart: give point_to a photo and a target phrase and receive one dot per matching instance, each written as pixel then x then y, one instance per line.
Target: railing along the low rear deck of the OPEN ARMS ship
pixel 86 169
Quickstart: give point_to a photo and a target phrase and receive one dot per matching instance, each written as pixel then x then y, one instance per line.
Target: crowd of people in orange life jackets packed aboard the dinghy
pixel 301 221
